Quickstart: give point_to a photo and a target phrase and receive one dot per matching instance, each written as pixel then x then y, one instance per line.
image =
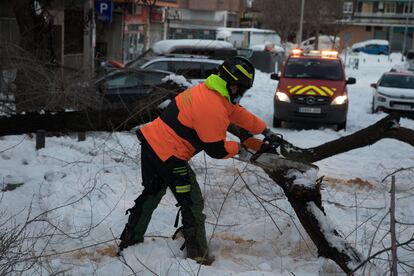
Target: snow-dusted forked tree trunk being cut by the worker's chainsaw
pixel 306 200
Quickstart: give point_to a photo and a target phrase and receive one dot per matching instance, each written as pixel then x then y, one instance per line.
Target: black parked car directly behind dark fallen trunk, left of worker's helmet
pixel 133 89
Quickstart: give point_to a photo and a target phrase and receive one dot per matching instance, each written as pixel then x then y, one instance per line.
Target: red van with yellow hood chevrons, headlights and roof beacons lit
pixel 312 88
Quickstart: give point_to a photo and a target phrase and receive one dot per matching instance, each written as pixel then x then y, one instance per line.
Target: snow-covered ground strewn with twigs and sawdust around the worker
pixel 76 193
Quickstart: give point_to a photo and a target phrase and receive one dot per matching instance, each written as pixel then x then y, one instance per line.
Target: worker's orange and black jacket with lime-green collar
pixel 197 119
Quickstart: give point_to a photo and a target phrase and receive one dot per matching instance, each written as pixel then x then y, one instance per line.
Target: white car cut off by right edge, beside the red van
pixel 394 91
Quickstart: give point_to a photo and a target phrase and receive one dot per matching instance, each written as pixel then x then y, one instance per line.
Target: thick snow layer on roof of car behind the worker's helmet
pixel 167 46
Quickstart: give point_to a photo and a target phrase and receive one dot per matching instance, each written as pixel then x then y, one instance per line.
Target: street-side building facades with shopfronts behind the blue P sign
pixel 82 37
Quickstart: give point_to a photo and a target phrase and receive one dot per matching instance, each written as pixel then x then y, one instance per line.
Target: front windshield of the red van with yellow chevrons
pixel 312 68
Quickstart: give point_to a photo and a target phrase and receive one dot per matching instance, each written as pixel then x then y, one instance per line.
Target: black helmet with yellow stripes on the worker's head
pixel 237 71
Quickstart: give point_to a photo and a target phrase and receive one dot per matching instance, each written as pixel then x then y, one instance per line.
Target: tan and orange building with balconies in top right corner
pixel 392 20
